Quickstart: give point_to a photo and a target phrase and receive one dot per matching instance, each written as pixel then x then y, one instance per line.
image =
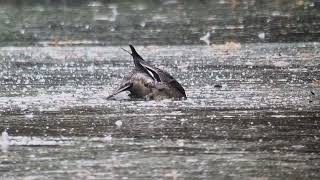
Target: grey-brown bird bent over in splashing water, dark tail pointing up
pixel 148 82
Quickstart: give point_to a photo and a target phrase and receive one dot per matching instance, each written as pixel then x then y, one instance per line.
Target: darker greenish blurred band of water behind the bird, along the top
pixel 149 22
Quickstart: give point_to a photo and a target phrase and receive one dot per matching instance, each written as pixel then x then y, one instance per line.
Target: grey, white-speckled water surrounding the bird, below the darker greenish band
pixel 263 123
